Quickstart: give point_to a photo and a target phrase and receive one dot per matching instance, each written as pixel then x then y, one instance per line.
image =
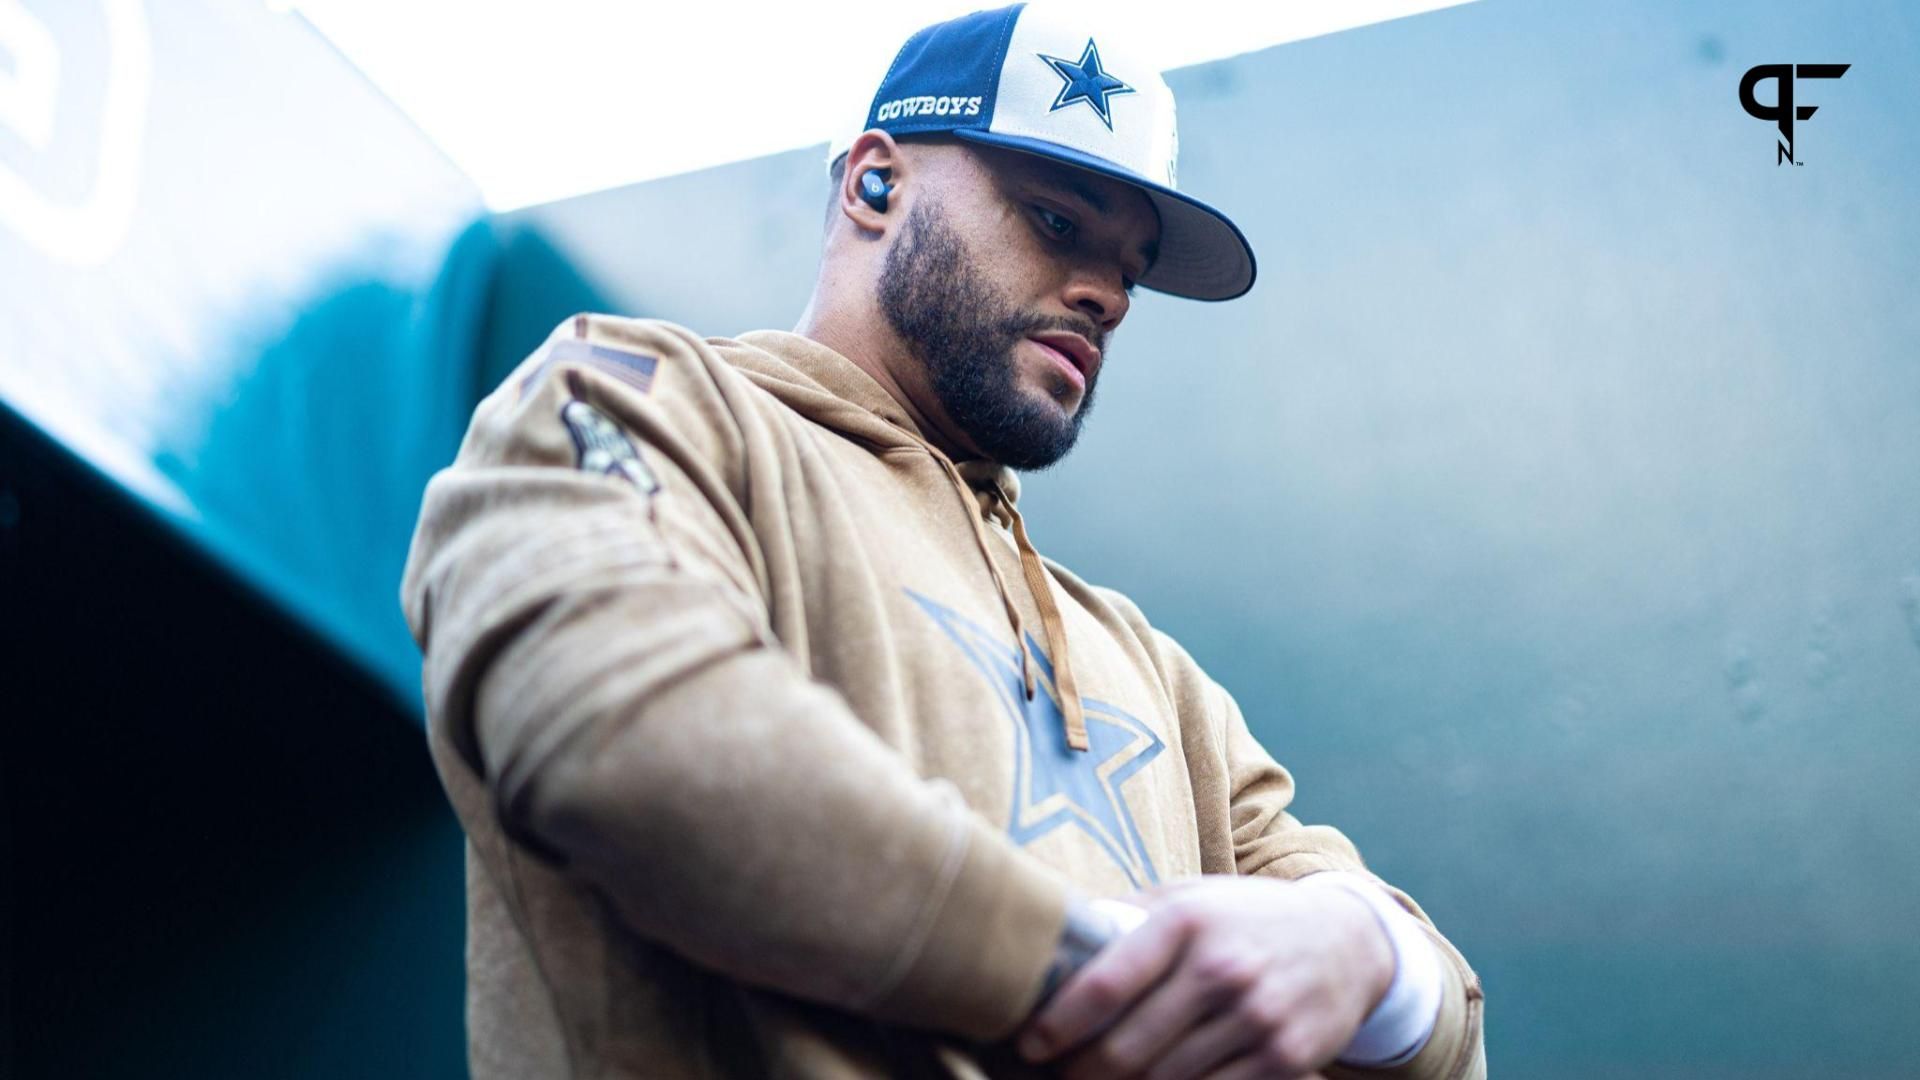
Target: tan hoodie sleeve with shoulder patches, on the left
pixel 590 602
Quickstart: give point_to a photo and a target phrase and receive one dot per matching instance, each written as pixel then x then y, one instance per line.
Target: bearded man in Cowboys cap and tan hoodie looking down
pixel 782 750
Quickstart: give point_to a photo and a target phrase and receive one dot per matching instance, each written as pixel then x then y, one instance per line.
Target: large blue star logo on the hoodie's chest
pixel 1057 787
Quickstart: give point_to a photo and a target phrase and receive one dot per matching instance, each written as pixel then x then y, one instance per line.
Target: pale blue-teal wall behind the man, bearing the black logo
pixel 1550 504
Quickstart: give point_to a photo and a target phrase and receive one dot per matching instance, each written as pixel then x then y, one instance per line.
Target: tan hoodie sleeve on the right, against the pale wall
pixel 1270 841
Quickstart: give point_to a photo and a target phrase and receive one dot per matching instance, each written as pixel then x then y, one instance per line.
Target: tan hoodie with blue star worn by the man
pixel 729 681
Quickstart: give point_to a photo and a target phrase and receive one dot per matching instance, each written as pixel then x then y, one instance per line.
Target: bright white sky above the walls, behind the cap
pixel 564 97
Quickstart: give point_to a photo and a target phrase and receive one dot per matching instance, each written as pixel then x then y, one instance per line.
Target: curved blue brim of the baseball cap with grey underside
pixel 1203 255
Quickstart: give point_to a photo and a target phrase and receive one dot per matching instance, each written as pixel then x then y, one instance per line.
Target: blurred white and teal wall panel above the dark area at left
pixel 277 343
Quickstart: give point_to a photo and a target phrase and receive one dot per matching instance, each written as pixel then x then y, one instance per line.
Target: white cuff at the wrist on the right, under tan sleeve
pixel 1403 1023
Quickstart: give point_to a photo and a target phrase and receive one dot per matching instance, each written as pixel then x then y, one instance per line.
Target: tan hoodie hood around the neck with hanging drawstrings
pixel 842 397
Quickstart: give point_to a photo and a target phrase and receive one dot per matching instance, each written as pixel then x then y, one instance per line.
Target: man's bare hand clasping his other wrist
pixel 1230 977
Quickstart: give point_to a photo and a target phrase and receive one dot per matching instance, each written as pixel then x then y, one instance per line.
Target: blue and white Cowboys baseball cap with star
pixel 1047 84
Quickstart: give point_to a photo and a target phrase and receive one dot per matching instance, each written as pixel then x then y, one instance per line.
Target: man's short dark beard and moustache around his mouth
pixel 965 333
